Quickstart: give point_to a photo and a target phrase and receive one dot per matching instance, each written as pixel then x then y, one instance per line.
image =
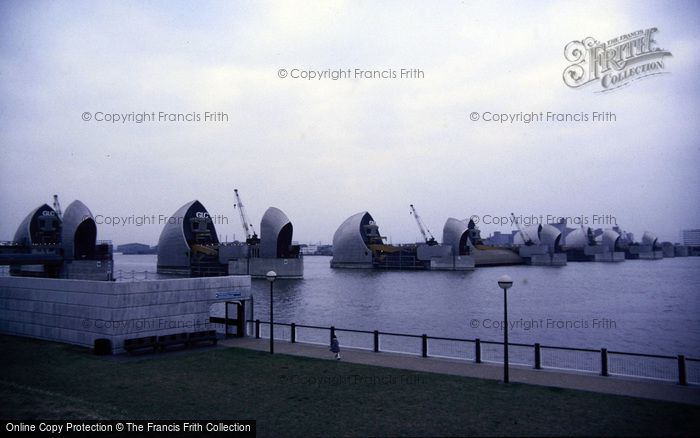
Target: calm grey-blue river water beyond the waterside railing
pixel 637 305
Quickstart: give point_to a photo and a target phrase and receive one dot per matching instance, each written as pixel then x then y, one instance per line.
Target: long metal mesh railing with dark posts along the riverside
pixel 680 369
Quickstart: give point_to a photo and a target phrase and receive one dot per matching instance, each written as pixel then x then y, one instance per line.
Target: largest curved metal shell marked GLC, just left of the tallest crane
pixel 177 235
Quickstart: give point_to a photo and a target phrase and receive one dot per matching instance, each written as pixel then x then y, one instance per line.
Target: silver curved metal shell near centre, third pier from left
pixel 350 241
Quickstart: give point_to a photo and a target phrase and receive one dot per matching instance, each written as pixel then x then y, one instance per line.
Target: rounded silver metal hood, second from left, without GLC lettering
pixel 79 232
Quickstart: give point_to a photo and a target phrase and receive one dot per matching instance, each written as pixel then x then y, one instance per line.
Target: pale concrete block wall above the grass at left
pixel 80 311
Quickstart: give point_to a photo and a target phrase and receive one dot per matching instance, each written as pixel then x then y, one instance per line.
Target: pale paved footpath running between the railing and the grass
pixel 643 388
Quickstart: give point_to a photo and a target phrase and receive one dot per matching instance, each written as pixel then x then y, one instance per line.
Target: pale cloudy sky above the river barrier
pixel 323 150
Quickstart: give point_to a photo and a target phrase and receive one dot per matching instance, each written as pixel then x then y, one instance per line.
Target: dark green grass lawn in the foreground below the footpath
pixel 294 396
